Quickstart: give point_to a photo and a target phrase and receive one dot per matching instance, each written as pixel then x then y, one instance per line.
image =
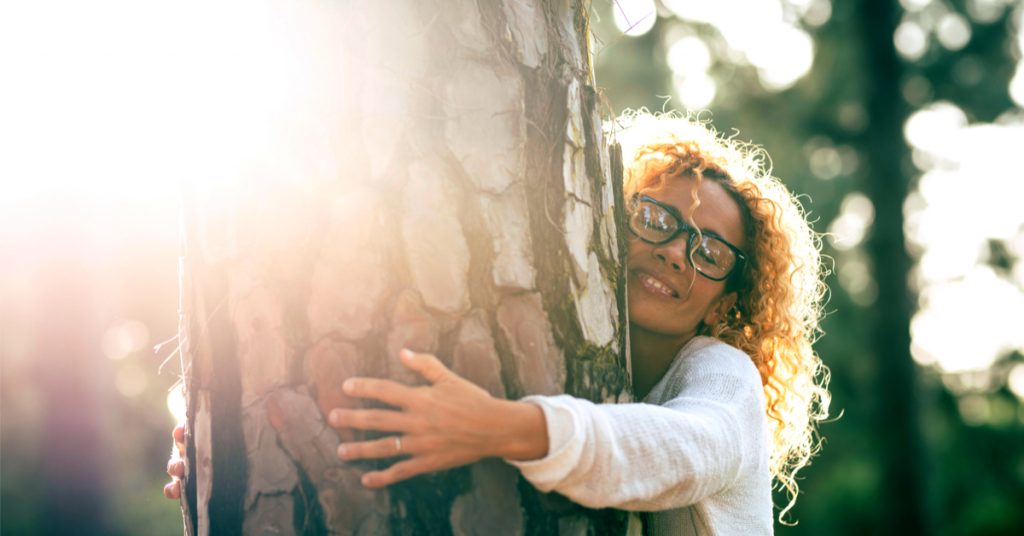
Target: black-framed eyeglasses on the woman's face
pixel 658 224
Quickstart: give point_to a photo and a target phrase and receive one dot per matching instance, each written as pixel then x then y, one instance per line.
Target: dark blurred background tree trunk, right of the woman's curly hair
pixel 900 429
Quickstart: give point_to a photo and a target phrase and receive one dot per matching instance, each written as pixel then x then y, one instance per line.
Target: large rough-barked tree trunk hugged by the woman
pixel 452 194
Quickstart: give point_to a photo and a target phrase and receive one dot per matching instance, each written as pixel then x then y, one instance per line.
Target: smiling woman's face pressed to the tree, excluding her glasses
pixel 662 299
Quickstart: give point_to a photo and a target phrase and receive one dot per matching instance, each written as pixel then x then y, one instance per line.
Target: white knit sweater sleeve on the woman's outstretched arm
pixel 648 458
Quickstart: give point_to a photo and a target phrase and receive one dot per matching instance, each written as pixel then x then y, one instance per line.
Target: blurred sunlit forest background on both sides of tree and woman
pixel 901 125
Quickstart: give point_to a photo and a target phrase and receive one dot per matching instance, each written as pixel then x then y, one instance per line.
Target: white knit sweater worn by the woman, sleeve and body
pixel 695 453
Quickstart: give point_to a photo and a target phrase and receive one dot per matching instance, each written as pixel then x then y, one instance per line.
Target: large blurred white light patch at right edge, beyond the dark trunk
pixel 966 197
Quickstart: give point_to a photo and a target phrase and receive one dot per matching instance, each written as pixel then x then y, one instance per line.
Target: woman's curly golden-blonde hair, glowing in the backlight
pixel 781 290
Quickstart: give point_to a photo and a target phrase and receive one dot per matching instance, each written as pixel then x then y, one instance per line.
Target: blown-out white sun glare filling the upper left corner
pixel 119 102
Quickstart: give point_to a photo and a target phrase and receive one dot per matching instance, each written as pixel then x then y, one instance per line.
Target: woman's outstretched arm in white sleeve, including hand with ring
pixel 636 457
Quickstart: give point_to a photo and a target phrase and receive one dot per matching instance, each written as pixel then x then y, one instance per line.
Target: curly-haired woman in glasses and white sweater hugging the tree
pixel 724 291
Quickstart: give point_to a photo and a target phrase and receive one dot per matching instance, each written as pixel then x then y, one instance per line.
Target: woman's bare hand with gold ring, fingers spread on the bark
pixel 448 424
